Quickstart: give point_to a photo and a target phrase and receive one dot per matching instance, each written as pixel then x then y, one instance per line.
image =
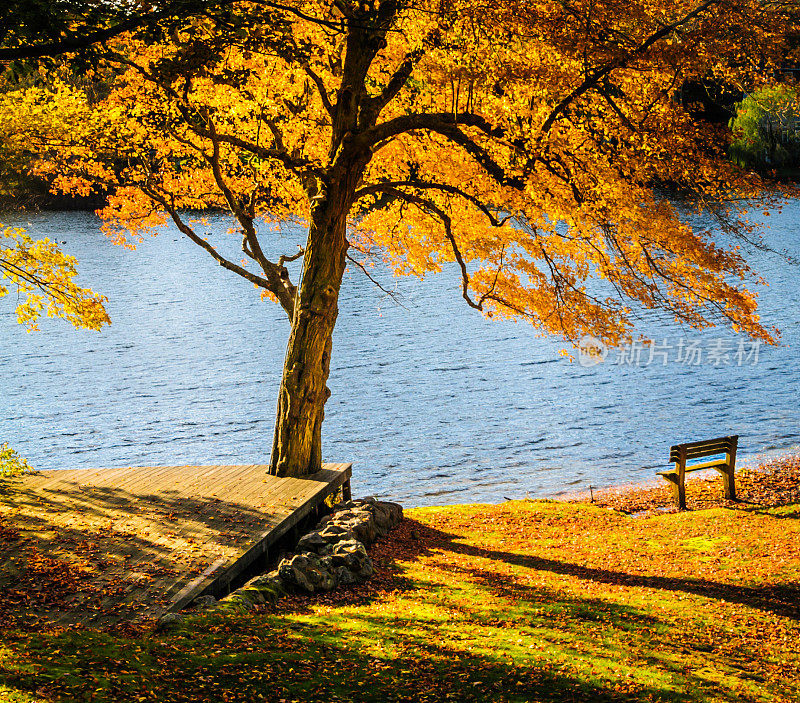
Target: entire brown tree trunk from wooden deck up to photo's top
pixel 297 444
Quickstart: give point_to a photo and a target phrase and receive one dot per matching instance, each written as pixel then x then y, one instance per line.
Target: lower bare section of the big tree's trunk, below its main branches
pixel 297 443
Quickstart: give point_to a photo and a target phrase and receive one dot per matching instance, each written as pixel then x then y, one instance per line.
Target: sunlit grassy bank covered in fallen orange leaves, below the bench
pixel 523 601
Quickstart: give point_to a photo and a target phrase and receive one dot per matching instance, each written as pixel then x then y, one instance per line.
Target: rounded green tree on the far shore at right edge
pixel 766 129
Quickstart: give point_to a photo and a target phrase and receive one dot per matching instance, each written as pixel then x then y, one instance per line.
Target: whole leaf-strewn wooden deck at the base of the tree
pixel 123 544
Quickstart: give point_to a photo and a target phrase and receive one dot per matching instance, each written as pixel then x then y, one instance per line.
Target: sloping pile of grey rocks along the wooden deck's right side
pixel 332 554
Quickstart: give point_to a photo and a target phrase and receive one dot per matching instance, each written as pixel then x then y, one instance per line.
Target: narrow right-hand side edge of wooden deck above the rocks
pixel 216 580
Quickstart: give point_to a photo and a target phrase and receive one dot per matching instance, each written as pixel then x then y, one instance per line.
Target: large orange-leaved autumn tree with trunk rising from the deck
pixel 525 142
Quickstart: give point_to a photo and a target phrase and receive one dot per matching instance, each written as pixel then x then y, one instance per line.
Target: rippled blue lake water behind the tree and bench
pixel 431 402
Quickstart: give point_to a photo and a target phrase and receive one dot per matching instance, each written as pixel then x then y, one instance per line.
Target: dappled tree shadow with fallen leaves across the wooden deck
pixel 99 554
